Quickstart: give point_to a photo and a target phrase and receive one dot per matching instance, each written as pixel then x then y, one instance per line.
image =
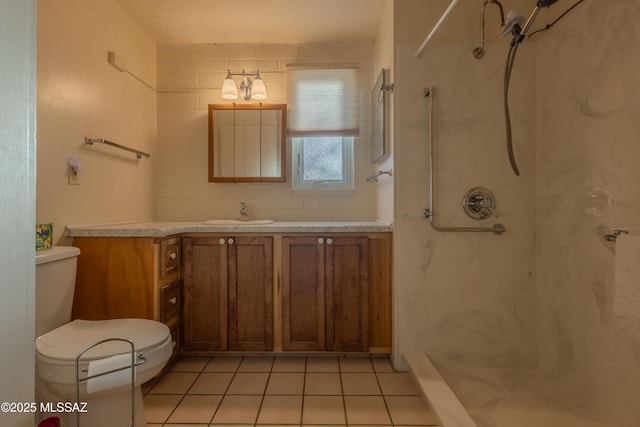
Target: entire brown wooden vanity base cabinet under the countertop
pixel 248 292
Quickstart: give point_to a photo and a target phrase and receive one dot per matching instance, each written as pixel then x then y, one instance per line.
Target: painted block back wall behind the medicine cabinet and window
pixel 190 78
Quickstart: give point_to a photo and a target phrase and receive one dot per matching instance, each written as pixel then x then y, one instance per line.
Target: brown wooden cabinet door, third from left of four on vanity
pixel 303 305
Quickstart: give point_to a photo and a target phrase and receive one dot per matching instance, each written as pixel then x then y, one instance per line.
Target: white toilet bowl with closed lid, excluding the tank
pixel 108 398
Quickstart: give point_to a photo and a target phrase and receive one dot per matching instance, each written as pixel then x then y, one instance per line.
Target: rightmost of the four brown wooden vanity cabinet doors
pixel 347 281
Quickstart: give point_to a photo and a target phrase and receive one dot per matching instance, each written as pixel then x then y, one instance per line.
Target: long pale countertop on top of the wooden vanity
pixel 167 228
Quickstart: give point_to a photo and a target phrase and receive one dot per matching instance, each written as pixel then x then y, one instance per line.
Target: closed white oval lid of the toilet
pixel 67 341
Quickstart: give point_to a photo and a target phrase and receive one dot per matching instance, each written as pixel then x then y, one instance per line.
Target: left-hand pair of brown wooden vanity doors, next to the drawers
pixel 228 293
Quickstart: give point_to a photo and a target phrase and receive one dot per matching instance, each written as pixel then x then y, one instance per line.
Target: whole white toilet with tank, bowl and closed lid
pixel 59 341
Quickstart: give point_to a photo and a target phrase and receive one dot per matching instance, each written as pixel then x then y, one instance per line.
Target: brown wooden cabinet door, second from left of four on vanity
pixel 250 293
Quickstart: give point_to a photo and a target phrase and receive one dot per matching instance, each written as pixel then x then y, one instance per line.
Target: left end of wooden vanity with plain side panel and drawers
pixel 130 277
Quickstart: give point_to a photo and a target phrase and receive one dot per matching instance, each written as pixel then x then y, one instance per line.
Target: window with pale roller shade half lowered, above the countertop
pixel 322 124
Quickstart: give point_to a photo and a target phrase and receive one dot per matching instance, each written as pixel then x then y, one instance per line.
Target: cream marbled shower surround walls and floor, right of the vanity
pixel 533 306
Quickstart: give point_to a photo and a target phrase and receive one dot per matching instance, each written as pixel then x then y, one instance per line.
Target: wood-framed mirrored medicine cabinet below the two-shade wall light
pixel 247 142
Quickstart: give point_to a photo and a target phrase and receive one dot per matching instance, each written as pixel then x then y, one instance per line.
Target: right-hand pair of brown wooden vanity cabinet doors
pixel 325 293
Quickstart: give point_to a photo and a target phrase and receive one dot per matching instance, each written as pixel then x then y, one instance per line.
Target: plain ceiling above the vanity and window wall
pixel 257 21
